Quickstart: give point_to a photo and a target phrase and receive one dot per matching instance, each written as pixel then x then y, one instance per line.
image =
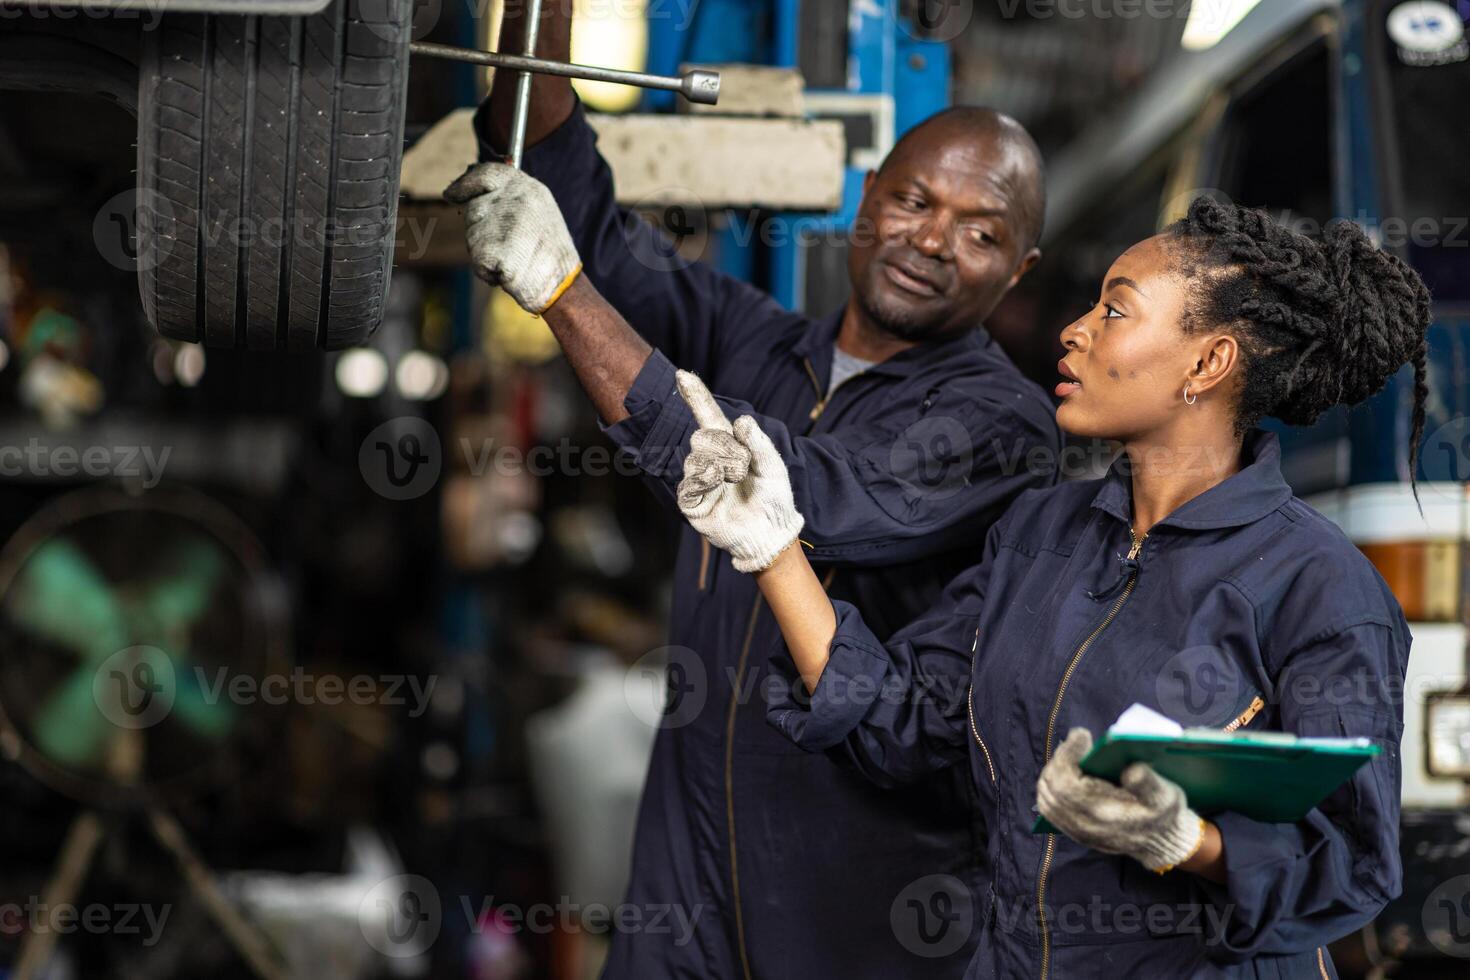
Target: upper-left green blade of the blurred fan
pixel 62 599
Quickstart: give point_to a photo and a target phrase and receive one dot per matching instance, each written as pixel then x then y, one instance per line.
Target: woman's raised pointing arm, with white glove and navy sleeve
pixel 897 710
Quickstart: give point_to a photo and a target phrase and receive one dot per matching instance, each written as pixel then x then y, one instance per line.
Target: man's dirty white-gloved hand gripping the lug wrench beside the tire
pixel 517 236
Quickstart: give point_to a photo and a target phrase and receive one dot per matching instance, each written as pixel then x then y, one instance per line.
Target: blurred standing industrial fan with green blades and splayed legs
pixel 127 627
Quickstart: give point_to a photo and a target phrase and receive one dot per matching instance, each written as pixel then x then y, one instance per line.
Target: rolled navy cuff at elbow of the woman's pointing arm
pixel 850 685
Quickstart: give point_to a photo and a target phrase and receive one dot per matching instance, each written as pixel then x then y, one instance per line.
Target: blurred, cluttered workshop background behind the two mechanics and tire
pixel 352 662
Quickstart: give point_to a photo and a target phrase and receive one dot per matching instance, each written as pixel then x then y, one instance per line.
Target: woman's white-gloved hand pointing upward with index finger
pixel 736 490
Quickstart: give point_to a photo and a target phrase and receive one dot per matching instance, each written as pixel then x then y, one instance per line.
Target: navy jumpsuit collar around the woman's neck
pixel 1243 499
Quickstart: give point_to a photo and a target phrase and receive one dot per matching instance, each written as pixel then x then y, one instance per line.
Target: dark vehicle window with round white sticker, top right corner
pixel 1425 76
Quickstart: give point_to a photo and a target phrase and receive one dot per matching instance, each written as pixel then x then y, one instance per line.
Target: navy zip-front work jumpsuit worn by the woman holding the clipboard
pixel 1241 610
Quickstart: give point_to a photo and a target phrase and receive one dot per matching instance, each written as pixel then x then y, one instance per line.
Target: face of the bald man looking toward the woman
pixel 940 236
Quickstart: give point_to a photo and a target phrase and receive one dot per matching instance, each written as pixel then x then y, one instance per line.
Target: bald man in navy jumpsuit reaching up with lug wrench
pixel 906 433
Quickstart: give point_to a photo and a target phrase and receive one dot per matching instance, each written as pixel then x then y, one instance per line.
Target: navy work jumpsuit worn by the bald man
pixel 790 865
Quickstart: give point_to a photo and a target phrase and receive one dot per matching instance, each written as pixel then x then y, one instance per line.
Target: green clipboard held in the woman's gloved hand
pixel 1268 777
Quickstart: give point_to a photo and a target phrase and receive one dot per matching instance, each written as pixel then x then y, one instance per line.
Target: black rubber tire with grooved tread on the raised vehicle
pixel 268 174
